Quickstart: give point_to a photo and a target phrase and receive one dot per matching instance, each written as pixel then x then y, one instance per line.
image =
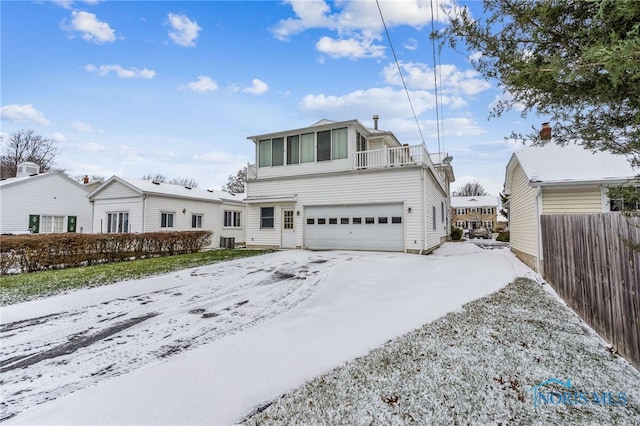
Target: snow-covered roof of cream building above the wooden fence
pixel 571 164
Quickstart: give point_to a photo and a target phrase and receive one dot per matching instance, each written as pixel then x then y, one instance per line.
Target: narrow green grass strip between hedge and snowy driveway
pixel 29 286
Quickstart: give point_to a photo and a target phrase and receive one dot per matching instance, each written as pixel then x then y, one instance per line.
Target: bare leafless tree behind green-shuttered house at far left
pixel 26 145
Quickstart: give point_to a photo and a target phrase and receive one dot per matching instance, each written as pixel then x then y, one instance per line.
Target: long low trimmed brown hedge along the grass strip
pixel 29 253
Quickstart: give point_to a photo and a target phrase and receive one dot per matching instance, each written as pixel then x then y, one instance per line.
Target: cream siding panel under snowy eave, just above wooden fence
pixel 571 200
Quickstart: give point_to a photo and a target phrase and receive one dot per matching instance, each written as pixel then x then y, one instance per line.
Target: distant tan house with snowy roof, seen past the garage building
pixel 475 212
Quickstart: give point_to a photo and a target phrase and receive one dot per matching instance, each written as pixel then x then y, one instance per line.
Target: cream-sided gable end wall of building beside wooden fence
pixel 523 220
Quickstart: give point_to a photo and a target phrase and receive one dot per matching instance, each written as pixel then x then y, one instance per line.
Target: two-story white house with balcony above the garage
pixel 341 185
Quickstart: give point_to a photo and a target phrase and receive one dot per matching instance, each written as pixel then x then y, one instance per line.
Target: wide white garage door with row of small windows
pixel 358 227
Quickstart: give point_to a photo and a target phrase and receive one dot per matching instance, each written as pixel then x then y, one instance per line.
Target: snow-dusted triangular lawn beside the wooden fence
pixel 476 366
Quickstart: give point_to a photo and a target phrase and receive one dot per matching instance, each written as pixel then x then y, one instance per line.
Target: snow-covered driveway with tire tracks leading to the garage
pixel 210 344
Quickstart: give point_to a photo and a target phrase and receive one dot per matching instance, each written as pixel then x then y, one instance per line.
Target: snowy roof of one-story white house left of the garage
pixel 166 189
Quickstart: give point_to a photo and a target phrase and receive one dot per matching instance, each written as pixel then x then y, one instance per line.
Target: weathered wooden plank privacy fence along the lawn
pixel 597 274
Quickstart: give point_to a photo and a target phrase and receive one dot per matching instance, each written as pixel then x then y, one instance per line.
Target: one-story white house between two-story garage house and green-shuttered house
pixel 132 205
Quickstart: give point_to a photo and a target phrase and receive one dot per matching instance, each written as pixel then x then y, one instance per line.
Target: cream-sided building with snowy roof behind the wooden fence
pixel 557 180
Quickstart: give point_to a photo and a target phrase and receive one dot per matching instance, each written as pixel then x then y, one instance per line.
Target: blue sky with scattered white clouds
pixel 135 87
